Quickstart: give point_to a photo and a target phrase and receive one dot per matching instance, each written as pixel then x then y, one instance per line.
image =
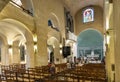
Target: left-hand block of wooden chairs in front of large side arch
pixel 20 74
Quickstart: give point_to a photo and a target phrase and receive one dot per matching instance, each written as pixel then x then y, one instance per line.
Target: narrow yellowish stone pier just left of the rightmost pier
pixel 111 54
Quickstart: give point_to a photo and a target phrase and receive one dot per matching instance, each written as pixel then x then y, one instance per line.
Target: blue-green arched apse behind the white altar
pixel 90 44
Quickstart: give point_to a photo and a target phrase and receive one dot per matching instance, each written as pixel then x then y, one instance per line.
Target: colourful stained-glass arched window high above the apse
pixel 88 15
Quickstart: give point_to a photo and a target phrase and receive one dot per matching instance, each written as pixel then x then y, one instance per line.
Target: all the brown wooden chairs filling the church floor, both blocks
pixel 91 72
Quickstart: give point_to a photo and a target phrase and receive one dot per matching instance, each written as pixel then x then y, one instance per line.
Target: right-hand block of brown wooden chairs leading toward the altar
pixel 85 73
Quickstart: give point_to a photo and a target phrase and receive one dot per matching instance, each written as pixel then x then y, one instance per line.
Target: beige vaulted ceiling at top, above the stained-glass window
pixel 75 5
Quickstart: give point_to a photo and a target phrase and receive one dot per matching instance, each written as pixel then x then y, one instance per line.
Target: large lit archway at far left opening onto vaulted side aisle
pixel 13 38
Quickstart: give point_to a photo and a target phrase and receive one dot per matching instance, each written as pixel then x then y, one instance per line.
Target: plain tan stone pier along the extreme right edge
pixel 116 15
